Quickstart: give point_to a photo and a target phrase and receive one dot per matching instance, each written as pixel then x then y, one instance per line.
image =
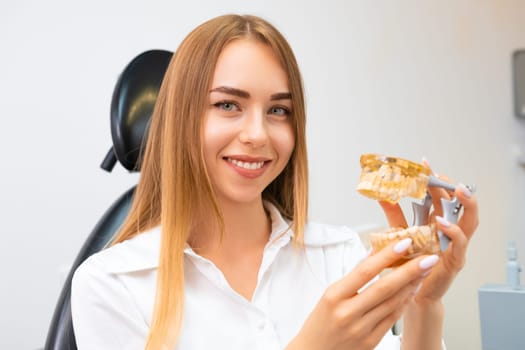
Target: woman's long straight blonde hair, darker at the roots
pixel 174 183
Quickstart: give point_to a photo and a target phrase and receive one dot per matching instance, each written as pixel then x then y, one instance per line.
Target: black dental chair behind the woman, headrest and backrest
pixel 132 104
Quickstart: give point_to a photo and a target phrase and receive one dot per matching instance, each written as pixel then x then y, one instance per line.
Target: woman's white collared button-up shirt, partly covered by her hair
pixel 113 292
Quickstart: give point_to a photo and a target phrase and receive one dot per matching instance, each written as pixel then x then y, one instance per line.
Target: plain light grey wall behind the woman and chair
pixel 406 78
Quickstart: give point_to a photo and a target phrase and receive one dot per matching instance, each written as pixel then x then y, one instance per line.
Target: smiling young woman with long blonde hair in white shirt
pixel 216 252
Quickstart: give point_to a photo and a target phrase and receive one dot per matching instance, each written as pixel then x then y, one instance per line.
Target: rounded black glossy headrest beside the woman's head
pixel 132 104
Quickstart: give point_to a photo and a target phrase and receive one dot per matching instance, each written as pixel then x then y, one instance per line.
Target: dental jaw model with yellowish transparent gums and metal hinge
pixel 390 179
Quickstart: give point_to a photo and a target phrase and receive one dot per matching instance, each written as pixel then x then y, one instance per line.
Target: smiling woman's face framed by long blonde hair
pixel 248 133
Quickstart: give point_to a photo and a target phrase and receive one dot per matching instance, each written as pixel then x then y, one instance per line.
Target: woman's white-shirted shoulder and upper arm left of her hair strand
pixel 110 303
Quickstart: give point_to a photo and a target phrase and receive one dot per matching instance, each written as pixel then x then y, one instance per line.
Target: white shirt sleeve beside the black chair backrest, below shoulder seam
pixel 104 313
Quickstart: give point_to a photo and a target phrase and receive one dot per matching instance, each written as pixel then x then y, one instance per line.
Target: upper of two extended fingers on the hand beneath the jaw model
pixel 369 268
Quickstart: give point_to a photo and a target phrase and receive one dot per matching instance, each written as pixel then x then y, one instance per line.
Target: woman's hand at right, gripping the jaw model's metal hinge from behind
pixel 453 258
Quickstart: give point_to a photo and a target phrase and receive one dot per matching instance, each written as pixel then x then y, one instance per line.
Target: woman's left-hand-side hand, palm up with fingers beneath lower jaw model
pixel 347 319
